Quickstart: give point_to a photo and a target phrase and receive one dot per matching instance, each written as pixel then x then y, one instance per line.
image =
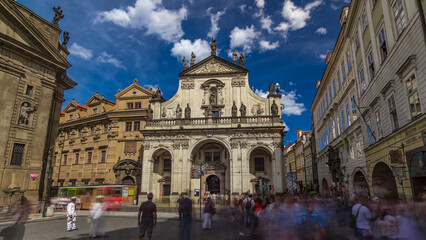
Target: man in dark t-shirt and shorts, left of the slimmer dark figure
pixel 148 221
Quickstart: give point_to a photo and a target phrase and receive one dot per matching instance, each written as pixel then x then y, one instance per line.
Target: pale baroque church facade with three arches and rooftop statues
pixel 215 136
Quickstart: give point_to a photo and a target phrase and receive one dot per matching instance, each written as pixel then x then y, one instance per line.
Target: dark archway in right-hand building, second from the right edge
pixel 384 185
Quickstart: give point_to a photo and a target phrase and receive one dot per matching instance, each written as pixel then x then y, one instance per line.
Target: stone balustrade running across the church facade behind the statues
pixel 208 121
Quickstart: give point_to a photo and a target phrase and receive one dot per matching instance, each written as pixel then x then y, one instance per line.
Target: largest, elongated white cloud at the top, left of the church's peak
pixel 150 15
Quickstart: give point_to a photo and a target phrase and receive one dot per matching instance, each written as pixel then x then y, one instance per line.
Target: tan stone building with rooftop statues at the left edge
pixel 33 65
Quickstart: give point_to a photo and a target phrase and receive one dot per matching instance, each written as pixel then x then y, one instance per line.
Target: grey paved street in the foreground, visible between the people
pixel 119 227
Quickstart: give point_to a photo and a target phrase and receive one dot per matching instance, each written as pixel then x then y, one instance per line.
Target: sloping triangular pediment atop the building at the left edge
pixel 28 37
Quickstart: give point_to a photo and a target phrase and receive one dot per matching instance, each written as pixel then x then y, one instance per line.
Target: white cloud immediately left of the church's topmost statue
pixel 184 47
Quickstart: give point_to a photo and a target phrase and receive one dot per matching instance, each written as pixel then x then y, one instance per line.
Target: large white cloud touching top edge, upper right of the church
pixel 296 17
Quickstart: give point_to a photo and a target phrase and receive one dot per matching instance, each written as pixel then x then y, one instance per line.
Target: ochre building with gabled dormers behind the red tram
pixel 100 142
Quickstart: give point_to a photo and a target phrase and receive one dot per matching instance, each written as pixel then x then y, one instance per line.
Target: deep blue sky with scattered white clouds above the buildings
pixel 112 42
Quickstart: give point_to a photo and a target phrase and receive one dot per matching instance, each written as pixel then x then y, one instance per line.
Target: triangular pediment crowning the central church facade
pixel 213 65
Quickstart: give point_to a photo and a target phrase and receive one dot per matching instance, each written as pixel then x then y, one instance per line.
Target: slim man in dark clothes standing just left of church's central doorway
pixel 185 208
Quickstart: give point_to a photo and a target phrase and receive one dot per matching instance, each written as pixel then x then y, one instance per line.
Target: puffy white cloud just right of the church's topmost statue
pixel 243 38
